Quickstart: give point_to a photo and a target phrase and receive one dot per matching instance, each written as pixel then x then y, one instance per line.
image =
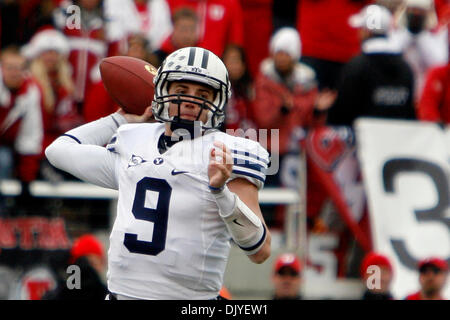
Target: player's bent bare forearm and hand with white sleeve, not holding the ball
pixel 238 206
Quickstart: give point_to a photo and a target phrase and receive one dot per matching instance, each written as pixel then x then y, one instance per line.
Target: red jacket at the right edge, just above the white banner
pixel 434 104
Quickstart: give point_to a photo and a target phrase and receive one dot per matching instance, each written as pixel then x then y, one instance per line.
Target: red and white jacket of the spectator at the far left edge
pixel 21 127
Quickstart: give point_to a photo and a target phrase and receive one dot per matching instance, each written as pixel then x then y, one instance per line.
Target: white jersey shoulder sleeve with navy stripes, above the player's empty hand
pixel 250 161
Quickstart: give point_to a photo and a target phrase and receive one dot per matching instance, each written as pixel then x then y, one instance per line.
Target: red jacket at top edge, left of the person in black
pixel 324 28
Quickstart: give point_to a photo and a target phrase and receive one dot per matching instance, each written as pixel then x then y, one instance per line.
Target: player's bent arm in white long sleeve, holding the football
pixel 81 151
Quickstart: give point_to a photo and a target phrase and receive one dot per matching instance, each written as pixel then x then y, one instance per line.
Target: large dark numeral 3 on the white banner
pixel 437 213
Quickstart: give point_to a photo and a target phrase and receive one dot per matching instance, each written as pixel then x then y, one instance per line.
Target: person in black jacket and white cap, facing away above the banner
pixel 379 82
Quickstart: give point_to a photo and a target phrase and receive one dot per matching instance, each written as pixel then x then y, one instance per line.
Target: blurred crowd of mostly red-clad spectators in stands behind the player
pixel 294 65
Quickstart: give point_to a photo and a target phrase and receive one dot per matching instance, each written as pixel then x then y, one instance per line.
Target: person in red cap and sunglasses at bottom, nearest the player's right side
pixel 287 277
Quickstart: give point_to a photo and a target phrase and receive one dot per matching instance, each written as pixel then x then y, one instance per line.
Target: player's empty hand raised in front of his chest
pixel 220 165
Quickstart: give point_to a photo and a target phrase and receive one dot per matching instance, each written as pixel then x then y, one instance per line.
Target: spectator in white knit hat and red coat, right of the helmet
pixel 286 98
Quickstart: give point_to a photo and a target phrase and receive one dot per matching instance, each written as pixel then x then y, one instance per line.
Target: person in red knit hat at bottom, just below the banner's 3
pixel 377 290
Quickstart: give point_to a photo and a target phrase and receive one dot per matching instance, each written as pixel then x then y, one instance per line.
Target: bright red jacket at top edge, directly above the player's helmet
pixel 221 22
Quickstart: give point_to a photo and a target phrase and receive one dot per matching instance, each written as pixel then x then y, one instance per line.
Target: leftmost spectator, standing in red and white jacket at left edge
pixel 21 123
